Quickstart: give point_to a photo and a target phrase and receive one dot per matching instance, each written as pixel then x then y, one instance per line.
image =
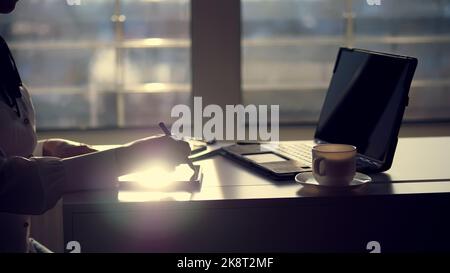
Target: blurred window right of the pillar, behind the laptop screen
pixel 289 48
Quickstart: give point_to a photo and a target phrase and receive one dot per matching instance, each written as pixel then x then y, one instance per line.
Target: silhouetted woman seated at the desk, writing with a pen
pixel 31 184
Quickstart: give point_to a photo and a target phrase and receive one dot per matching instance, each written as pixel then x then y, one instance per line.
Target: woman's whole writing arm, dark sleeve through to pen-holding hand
pixel 32 186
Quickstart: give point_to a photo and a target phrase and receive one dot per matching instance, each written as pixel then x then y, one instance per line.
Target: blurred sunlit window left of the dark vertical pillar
pixel 105 63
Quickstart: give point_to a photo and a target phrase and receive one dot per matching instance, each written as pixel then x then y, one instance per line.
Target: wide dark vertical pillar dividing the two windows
pixel 216 51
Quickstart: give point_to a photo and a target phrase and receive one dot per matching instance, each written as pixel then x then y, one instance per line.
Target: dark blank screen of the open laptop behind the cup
pixel 365 100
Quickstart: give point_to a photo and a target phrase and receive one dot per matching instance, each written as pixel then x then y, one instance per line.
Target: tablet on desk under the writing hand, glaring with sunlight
pixel 183 178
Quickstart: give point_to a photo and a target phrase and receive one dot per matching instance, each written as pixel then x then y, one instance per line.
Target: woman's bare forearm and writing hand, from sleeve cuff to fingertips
pixel 98 170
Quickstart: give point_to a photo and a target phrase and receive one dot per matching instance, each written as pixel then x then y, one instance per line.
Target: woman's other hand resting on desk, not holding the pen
pixel 65 148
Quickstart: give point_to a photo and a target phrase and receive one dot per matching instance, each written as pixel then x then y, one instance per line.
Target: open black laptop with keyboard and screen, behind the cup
pixel 364 107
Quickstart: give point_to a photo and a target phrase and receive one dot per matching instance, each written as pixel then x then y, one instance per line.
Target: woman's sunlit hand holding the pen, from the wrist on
pixel 162 150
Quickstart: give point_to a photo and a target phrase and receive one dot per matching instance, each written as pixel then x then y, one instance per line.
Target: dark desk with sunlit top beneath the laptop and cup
pixel 405 209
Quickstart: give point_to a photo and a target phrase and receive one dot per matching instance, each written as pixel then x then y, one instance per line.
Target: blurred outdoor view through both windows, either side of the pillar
pixel 125 63
